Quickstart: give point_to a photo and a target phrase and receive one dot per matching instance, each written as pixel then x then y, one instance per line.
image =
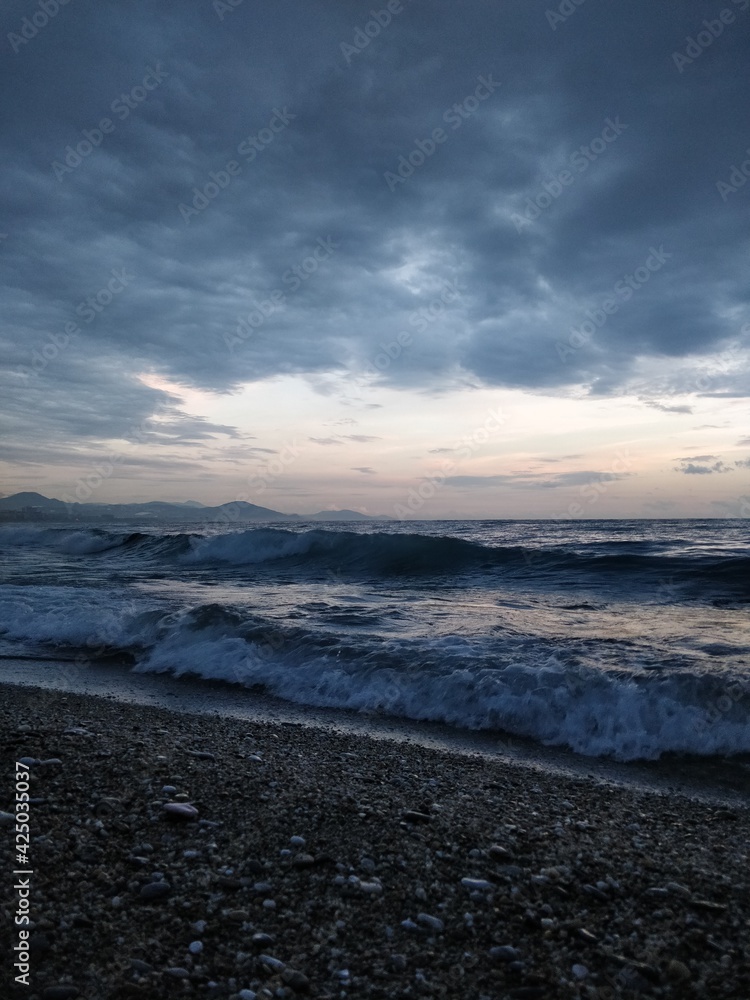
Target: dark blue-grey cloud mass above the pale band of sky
pixel 302 260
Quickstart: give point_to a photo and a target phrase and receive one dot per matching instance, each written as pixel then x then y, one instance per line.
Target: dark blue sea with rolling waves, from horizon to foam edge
pixel 625 639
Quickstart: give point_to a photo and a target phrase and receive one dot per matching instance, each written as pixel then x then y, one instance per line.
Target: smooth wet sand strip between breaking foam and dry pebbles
pixel 718 780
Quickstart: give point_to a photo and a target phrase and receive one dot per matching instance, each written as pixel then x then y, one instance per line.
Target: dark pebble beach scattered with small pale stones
pixel 193 855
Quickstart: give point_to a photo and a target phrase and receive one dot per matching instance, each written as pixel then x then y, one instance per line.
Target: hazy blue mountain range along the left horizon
pixel 34 506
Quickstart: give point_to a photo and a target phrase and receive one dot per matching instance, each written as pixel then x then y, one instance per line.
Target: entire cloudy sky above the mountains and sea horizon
pixel 423 259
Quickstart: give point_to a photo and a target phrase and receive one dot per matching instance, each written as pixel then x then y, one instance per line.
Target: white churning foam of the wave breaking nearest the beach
pixel 591 712
